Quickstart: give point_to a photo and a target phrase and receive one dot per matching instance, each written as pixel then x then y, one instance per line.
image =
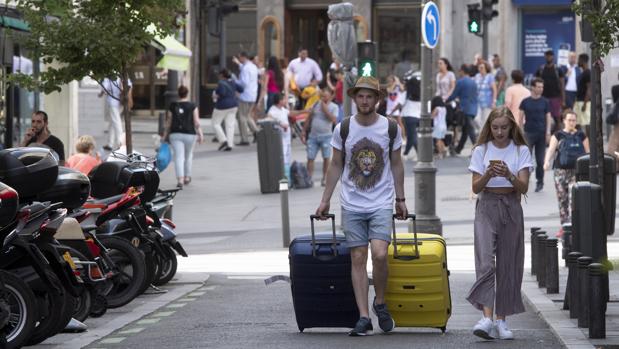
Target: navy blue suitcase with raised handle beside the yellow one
pixel 322 292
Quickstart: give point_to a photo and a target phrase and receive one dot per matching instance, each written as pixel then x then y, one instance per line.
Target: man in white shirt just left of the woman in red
pixel 248 78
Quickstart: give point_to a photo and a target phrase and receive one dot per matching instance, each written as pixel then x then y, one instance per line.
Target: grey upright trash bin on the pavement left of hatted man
pixel 270 157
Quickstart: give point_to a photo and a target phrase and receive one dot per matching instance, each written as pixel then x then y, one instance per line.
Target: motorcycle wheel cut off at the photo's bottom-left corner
pixel 17 298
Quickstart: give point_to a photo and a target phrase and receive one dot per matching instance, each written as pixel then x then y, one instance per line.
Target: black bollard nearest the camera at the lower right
pixel 597 302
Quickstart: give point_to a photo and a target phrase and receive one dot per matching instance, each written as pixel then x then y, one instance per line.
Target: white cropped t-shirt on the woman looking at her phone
pixel 516 158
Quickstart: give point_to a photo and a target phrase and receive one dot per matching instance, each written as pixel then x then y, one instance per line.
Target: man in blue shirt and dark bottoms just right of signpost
pixel 466 93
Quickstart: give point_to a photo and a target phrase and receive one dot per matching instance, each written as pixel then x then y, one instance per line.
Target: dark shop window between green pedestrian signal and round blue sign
pixel 398 35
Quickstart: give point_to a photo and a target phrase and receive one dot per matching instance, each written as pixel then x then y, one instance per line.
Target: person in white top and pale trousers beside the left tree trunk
pixel 113 91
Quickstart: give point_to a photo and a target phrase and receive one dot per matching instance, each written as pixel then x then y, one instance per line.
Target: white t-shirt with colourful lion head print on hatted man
pixel 367 182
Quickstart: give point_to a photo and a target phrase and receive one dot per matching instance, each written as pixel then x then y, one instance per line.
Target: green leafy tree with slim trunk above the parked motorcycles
pixel 94 38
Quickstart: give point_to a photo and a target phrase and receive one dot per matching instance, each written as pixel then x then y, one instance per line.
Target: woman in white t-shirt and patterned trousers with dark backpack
pixel 565 147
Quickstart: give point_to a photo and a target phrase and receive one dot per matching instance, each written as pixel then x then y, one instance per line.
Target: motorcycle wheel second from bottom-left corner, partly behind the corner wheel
pixel 59 307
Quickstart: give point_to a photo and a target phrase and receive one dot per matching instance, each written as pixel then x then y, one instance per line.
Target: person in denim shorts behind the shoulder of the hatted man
pixel 318 131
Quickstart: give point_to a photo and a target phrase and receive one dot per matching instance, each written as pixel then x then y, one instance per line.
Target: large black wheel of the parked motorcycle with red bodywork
pixel 130 271
